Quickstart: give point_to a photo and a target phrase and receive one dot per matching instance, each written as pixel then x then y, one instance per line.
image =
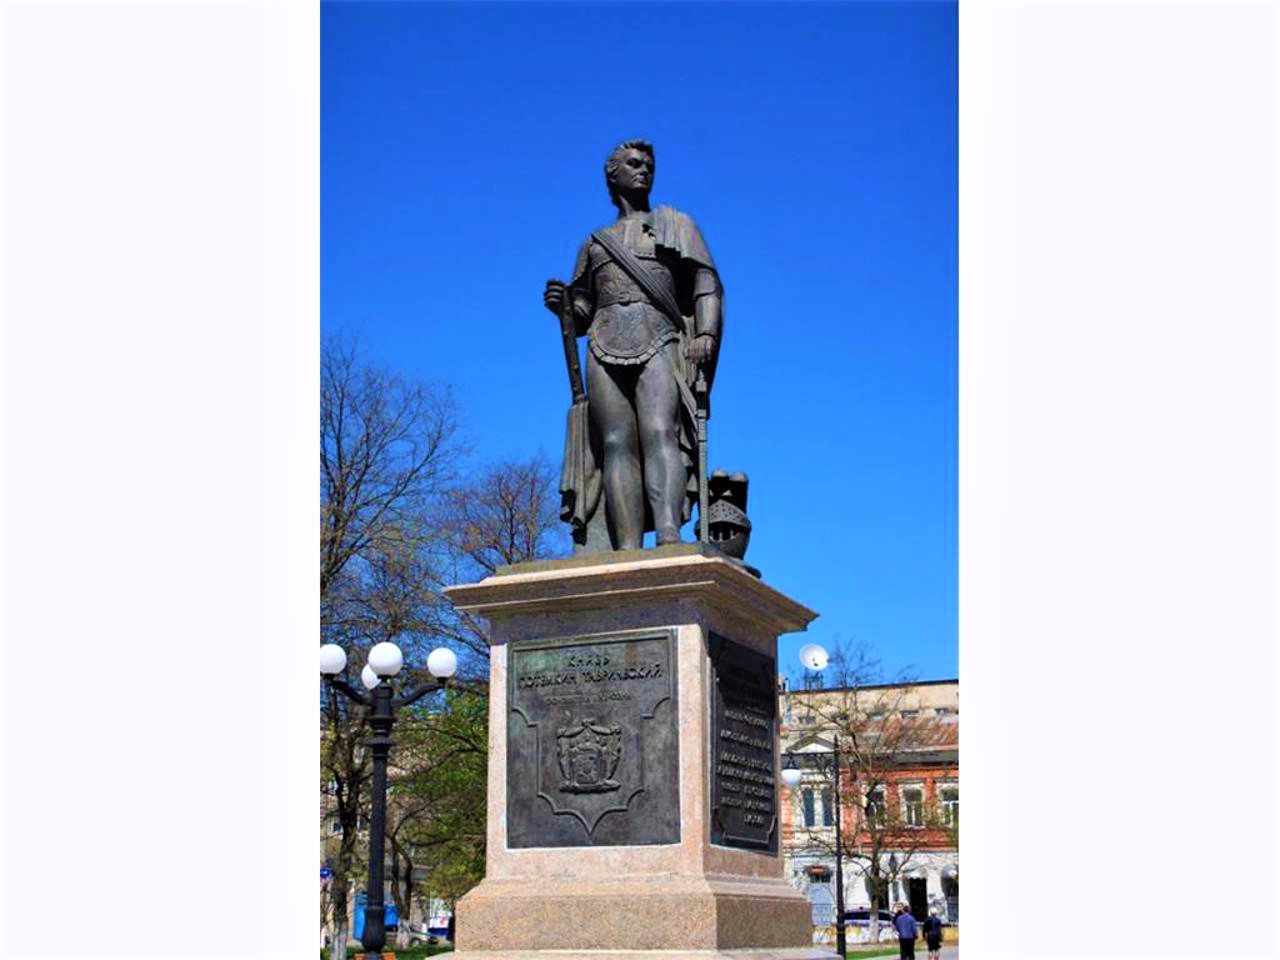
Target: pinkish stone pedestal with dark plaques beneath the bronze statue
pixel 634 762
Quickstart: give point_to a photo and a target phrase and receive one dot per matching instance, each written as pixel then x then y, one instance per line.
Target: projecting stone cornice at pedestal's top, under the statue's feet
pixel 604 580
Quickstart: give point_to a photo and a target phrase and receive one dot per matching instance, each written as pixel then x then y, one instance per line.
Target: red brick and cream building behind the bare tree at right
pixel 899 796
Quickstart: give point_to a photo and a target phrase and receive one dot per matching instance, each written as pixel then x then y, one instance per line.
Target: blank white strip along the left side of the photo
pixel 161 386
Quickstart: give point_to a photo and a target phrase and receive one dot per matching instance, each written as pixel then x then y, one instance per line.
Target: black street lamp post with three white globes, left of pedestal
pixel 385 662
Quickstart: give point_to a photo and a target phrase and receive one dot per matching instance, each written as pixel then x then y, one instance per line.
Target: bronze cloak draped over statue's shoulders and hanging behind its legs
pixel 582 483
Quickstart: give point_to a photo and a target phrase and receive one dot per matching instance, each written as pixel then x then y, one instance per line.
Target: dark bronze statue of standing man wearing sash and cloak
pixel 647 295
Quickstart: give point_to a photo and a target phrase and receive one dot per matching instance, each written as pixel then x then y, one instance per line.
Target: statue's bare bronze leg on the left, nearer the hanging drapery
pixel 615 419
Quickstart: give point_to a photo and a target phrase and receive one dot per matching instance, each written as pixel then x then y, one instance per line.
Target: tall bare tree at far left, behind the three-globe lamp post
pixel 387 450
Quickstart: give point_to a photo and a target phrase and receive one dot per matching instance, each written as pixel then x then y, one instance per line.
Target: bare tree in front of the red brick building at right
pixel 877 739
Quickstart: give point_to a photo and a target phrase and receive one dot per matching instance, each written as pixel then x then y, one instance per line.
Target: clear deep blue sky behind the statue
pixel 815 144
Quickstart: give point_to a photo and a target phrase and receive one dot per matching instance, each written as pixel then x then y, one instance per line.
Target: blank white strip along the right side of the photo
pixel 1118 524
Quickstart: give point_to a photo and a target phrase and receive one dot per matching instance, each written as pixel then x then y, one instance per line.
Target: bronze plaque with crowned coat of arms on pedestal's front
pixel 593 752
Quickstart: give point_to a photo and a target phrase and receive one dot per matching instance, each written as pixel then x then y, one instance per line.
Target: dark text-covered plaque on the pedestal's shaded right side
pixel 744 720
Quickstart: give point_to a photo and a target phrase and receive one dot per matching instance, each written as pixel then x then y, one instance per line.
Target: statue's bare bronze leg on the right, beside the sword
pixel 657 405
